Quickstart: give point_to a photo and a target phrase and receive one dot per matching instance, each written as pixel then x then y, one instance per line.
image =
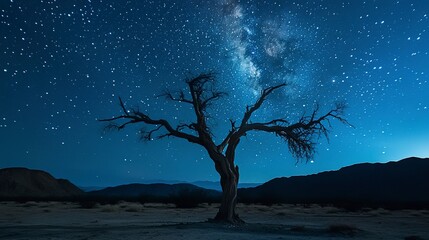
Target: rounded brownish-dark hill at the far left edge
pixel 26 183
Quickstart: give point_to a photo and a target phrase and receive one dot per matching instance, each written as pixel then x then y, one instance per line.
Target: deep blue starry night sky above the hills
pixel 63 64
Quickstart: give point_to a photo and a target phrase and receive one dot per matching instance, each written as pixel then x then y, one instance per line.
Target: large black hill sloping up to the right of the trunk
pixel 402 182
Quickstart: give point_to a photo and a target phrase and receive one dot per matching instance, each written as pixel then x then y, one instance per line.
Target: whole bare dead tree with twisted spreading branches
pixel 202 93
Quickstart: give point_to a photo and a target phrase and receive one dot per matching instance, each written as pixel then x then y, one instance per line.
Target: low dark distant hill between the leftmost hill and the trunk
pixel 156 190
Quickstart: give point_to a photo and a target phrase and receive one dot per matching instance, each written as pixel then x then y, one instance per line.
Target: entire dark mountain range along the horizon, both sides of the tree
pixel 401 182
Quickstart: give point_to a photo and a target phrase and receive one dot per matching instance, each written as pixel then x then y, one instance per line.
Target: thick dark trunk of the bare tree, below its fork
pixel 229 181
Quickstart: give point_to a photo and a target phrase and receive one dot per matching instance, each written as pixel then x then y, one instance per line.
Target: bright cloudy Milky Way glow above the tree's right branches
pixel 269 47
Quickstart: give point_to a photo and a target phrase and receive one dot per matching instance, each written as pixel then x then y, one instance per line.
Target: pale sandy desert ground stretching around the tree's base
pixel 53 220
